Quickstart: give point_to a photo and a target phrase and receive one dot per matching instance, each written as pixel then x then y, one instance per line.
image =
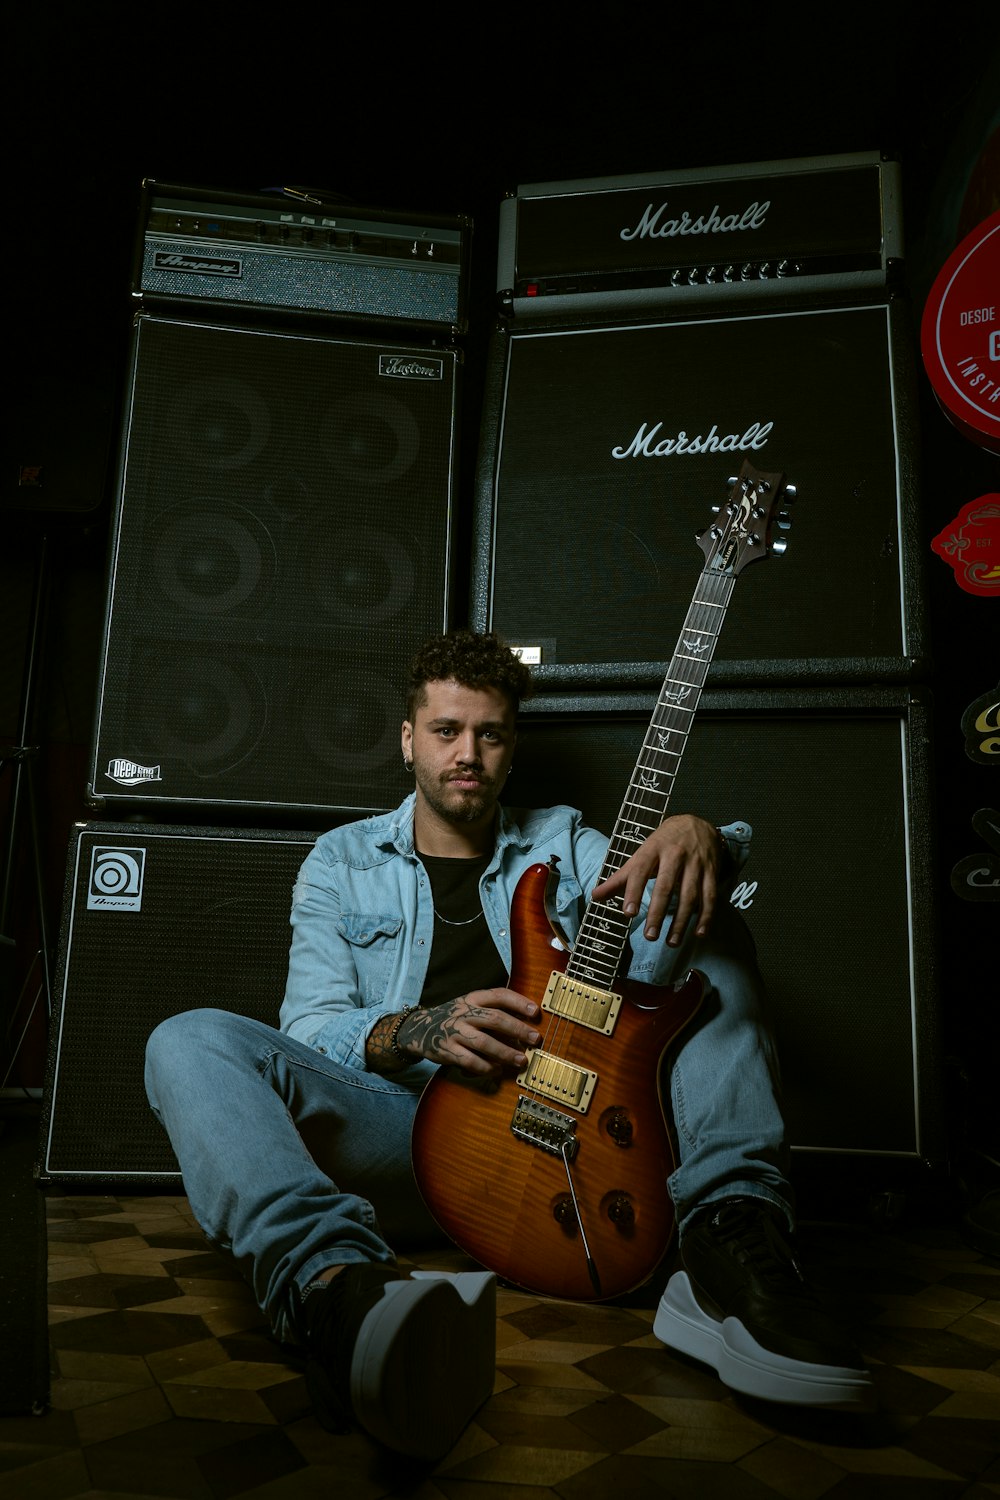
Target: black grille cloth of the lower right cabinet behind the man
pixel 825 892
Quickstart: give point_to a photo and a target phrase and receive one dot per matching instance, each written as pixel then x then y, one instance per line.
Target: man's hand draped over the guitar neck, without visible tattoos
pixel 684 856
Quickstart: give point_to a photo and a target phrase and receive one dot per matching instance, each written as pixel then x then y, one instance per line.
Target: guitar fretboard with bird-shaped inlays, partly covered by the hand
pixel 605 929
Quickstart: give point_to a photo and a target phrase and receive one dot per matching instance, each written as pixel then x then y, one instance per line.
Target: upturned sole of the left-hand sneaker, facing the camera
pixel 436 1325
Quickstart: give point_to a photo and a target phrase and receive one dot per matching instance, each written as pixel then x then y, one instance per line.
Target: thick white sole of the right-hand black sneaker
pixel 744 1366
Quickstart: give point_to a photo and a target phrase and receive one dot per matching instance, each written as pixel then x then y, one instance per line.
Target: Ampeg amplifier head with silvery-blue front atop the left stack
pixel 304 256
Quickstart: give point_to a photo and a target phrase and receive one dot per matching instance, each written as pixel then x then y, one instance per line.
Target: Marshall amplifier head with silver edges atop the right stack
pixel 680 239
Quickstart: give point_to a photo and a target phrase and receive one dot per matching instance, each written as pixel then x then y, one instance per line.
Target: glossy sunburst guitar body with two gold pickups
pixel 555 1178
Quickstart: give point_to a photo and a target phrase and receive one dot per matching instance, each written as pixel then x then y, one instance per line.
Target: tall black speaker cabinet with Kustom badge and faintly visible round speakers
pixel 283 544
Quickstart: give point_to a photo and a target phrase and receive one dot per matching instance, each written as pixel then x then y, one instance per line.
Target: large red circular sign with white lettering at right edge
pixel 960 335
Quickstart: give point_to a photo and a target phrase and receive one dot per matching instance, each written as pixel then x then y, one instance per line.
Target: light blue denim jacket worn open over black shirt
pixel 364 919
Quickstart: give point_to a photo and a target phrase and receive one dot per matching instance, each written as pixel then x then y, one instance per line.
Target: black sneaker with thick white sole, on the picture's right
pixel 743 1306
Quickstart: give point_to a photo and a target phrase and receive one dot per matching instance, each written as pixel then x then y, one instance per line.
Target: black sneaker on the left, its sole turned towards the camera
pixel 410 1358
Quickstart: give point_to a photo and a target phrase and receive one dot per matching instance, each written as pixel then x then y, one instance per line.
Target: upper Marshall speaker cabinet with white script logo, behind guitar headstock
pixel 606 451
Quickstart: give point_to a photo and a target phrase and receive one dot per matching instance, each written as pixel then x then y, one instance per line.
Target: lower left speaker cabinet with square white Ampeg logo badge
pixel 157 920
